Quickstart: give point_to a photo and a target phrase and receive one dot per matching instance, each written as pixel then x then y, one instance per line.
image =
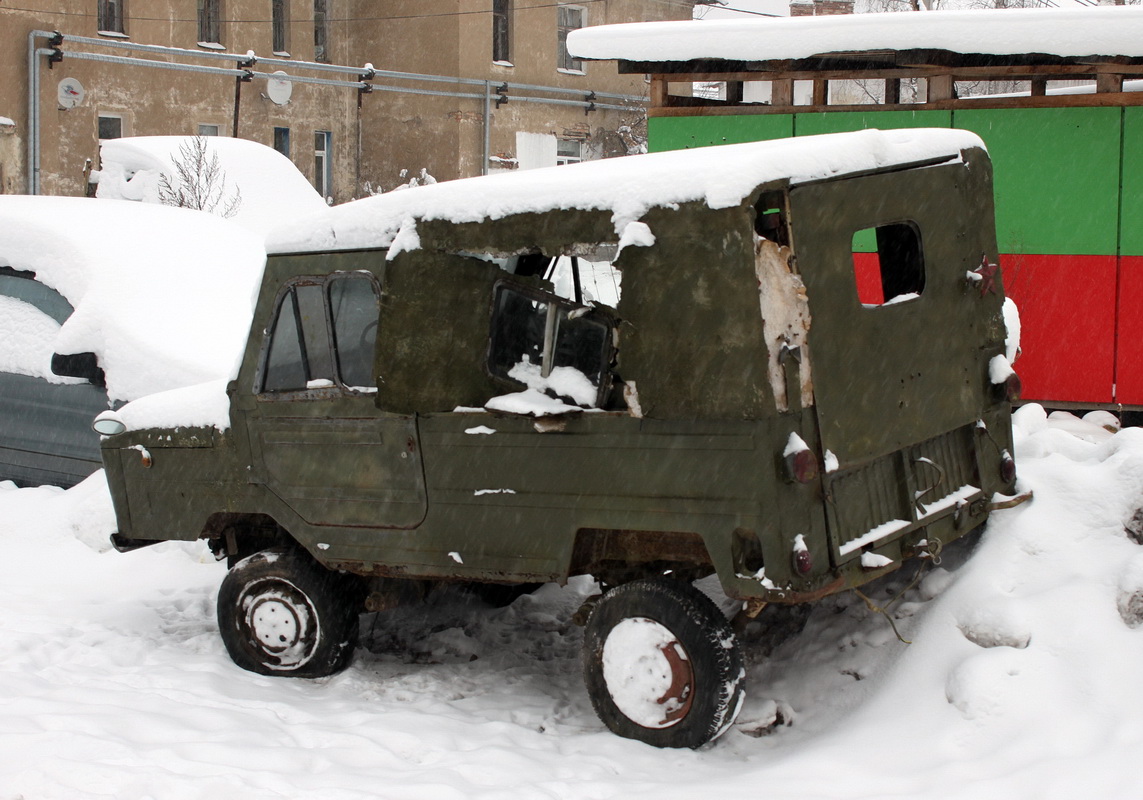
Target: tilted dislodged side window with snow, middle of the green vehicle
pixel 548 345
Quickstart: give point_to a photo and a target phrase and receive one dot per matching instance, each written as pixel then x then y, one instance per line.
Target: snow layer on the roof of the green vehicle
pixel 627 187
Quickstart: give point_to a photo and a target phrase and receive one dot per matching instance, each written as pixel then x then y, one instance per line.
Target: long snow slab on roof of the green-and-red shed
pixel 1066 33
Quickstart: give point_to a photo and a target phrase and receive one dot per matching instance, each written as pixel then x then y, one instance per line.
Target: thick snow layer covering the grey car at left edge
pixel 163 297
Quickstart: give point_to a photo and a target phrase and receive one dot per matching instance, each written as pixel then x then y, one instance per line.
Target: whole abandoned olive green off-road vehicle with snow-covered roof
pixel 782 364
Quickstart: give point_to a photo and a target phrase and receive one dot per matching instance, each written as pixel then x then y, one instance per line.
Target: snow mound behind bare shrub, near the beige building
pixel 274 191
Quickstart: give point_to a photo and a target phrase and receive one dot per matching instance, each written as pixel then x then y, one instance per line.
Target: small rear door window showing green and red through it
pixel 889 265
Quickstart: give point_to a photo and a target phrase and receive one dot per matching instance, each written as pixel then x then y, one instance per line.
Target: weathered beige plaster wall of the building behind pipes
pixel 374 137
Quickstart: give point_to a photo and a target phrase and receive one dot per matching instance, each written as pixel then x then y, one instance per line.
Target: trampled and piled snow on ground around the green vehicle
pixel 1022 681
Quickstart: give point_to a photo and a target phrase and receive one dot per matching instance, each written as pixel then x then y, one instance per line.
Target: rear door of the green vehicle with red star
pixel 896 345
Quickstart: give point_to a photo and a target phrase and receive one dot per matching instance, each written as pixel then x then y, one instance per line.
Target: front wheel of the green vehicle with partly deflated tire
pixel 283 614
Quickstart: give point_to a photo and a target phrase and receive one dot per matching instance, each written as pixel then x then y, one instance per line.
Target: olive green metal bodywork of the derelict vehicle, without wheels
pixel 690 469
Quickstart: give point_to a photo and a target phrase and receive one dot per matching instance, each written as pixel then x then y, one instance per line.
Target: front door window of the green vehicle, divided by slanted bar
pixel 302 355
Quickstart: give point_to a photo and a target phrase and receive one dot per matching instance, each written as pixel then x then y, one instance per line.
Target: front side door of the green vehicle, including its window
pixel 318 441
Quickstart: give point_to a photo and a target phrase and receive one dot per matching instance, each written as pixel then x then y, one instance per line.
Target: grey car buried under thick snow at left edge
pixel 103 302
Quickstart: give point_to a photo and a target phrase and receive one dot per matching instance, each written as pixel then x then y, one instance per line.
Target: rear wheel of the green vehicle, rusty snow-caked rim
pixel 704 687
